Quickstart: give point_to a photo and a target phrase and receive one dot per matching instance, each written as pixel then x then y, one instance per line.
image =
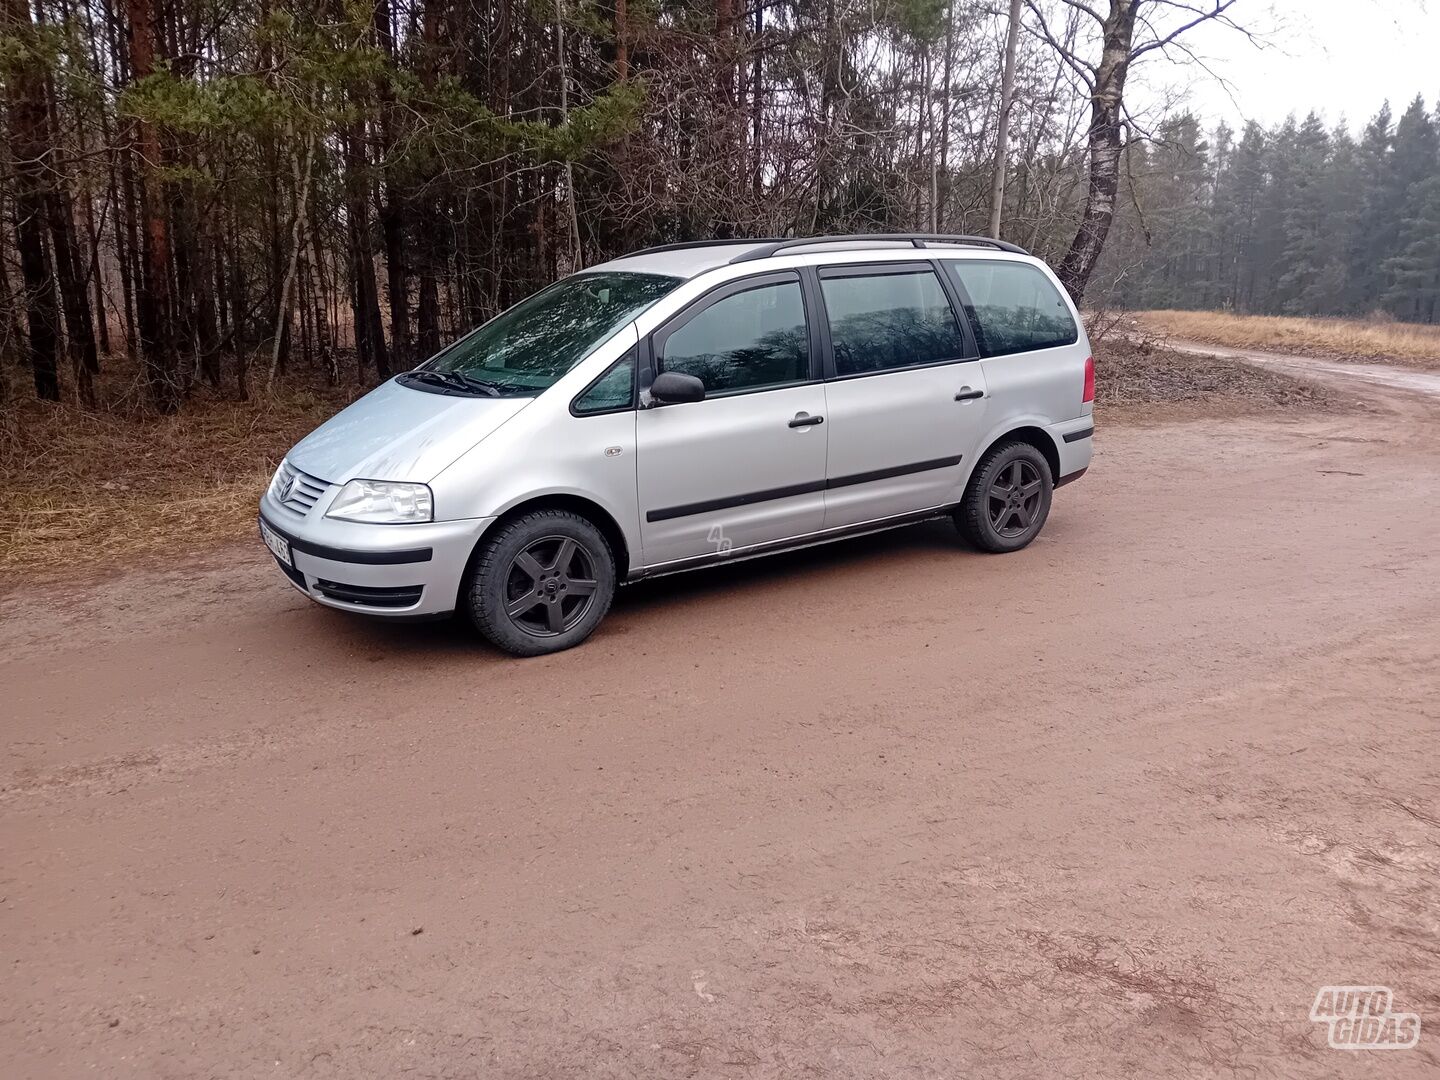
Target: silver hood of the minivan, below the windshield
pixel 400 434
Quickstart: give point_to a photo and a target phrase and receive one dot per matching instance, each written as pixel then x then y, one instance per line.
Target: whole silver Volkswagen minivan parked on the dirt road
pixel 692 405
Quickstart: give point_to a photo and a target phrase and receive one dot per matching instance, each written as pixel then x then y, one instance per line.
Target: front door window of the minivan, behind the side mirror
pixel 745 342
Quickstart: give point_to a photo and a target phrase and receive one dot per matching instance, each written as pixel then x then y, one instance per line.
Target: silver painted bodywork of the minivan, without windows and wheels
pixel 486 457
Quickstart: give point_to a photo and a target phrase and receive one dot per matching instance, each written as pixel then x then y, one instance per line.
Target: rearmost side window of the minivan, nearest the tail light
pixel 1016 307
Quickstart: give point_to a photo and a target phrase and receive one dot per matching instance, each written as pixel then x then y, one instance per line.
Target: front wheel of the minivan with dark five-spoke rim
pixel 542 584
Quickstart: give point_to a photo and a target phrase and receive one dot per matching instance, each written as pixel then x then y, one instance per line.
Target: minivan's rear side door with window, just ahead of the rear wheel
pixel 905 392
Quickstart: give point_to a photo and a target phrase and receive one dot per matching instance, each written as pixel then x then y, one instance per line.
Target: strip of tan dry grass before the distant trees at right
pixel 1412 345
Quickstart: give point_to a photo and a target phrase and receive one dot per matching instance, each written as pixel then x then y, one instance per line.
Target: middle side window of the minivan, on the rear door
pixel 883 322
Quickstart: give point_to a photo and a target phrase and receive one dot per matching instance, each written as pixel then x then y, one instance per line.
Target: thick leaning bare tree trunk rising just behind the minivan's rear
pixel 1105 150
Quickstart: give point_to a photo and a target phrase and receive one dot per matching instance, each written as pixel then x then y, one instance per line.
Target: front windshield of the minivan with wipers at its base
pixel 523 351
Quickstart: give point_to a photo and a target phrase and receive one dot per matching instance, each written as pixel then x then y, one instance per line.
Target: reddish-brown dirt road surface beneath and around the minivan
pixel 1117 806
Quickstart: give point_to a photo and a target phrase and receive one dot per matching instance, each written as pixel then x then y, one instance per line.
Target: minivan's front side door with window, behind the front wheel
pixel 747 466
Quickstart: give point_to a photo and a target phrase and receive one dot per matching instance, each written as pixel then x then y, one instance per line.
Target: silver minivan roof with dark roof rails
pixel 692 260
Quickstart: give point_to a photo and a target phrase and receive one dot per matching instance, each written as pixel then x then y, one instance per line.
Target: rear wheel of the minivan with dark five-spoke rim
pixel 999 516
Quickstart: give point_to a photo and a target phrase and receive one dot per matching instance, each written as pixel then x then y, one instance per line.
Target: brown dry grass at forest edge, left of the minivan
pixel 87 490
